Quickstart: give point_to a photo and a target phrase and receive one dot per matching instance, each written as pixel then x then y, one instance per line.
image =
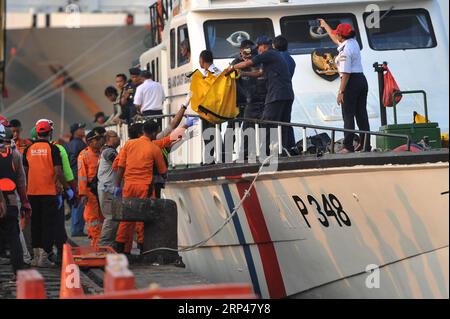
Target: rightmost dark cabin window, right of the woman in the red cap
pixel 401 30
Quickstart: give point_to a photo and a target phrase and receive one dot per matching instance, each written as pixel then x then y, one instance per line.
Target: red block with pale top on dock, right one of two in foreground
pixel 117 275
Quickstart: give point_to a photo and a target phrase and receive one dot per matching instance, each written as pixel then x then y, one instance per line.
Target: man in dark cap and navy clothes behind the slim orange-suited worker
pixel 74 147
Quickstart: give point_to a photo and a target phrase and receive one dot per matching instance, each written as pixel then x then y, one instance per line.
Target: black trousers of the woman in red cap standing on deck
pixel 355 107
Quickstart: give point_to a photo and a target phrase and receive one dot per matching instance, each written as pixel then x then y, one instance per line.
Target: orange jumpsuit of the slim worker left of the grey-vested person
pixel 87 169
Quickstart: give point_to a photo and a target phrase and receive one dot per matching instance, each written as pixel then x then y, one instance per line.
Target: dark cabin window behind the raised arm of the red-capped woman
pixel 304 38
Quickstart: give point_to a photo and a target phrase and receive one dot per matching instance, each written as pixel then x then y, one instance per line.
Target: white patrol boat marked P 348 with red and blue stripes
pixel 367 225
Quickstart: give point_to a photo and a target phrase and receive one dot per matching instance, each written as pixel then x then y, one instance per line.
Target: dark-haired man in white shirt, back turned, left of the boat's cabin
pixel 149 98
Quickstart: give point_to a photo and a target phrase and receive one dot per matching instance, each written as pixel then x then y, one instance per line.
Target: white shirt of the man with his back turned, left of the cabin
pixel 150 96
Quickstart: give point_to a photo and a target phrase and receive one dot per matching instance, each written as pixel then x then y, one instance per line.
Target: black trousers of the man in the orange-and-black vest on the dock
pixel 44 219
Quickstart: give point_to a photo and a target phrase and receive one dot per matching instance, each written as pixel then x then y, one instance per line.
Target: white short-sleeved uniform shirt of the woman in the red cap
pixel 349 57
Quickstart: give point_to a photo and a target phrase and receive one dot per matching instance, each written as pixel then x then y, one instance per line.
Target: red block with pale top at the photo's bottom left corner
pixel 30 285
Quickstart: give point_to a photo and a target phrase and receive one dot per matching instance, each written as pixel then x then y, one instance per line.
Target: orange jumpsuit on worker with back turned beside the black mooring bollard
pixel 138 157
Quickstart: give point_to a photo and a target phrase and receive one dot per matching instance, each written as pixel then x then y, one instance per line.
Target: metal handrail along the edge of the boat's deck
pixel 303 126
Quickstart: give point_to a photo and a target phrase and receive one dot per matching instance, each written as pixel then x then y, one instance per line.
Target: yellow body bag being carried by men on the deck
pixel 214 98
